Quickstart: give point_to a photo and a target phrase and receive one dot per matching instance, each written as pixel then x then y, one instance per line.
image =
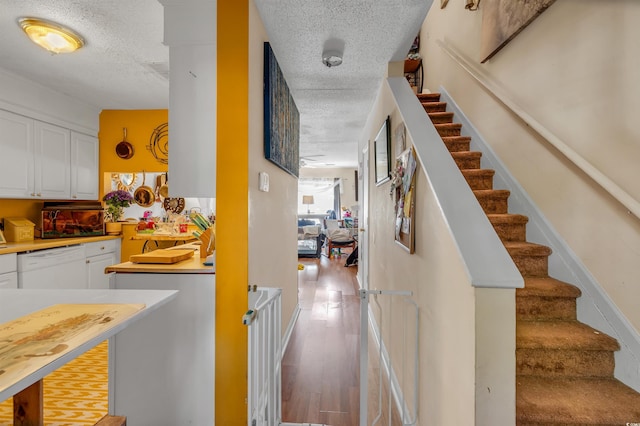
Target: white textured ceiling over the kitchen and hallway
pixel 125 65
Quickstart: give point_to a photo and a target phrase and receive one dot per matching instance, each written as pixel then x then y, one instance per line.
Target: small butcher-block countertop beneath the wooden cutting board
pixel 193 265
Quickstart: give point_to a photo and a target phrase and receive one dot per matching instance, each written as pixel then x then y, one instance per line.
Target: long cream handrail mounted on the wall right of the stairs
pixel 623 197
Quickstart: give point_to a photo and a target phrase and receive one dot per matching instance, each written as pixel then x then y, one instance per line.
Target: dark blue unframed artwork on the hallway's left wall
pixel 281 118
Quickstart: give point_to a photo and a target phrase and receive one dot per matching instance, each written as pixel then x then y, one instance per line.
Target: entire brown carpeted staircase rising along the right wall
pixel 564 368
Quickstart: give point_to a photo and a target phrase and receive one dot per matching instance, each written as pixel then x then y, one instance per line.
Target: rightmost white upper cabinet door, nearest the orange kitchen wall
pixel 84 167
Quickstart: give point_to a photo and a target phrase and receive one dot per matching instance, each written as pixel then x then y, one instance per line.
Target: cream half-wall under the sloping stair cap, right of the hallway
pixel 451 310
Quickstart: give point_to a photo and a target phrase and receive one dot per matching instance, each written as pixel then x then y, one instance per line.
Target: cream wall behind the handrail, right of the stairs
pixel 573 70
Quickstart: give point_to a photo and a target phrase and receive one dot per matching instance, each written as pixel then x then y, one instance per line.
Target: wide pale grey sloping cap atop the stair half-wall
pixel 485 258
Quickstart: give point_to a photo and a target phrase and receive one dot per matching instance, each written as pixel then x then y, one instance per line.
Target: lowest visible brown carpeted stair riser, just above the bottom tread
pixel 564 363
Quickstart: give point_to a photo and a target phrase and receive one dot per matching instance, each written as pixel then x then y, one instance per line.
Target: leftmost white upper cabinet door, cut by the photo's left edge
pixel 16 160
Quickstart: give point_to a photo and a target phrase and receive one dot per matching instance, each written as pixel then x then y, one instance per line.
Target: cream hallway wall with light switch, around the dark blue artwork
pixel 273 232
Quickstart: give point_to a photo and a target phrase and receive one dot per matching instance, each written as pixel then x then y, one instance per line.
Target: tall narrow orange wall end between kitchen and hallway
pixel 232 212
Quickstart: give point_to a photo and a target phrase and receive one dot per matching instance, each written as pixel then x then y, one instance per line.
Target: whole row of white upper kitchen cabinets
pixel 43 161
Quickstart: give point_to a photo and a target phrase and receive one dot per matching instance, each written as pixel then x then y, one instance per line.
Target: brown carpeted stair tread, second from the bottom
pixel 569 335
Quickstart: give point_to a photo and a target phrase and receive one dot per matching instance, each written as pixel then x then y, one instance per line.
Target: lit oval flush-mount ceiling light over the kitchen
pixel 51 36
